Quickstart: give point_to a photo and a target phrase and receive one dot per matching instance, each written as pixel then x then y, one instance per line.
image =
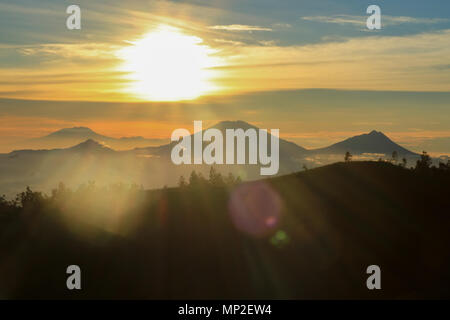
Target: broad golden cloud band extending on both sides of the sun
pixel 405 63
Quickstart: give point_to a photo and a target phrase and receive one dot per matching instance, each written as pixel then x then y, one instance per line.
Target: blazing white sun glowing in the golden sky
pixel 168 65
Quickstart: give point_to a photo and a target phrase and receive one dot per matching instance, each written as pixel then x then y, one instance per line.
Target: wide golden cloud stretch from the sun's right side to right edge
pixel 363 63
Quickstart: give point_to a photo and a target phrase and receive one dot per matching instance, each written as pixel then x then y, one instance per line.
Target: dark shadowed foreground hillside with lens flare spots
pixel 303 236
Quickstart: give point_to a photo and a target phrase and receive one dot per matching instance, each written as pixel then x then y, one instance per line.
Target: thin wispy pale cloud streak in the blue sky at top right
pixel 361 20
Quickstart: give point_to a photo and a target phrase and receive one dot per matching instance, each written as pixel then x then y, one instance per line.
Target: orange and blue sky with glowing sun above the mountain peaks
pixel 310 68
